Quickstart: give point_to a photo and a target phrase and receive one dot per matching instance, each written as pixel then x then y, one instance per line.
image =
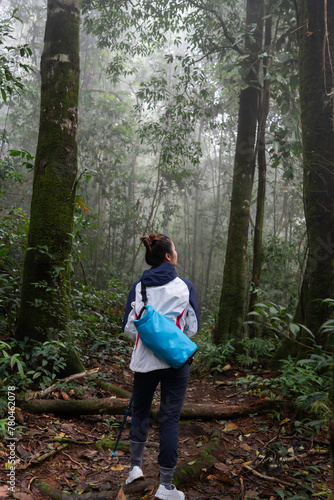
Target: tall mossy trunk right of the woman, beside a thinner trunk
pixel 232 299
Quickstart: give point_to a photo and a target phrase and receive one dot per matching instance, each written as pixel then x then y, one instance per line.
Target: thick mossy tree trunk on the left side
pixel 44 311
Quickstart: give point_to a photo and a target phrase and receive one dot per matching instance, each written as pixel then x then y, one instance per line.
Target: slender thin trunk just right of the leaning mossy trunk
pixel 262 171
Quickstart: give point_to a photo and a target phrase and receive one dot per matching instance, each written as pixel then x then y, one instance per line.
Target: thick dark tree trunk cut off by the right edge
pixel 316 101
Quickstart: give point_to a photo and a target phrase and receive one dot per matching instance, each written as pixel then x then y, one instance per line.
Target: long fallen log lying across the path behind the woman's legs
pixel 108 406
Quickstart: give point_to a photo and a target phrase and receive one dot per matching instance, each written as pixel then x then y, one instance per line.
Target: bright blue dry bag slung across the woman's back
pixel 163 337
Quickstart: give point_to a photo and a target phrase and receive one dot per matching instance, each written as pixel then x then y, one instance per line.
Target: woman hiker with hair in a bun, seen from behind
pixel 175 298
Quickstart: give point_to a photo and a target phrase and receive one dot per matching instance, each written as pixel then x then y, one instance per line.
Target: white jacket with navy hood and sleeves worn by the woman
pixel 170 295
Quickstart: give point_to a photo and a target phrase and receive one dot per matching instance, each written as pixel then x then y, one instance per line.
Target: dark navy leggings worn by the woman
pixel 173 389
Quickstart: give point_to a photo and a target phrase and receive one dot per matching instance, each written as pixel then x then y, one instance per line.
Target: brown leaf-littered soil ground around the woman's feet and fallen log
pixel 261 456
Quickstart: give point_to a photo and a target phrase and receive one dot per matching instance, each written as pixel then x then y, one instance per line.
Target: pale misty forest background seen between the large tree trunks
pixel 156 153
